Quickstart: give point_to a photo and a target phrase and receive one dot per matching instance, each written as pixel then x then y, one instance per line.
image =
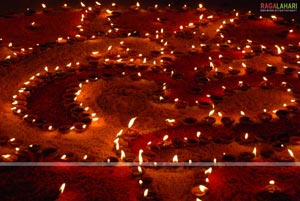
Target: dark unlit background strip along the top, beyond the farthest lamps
pixel 12 6
